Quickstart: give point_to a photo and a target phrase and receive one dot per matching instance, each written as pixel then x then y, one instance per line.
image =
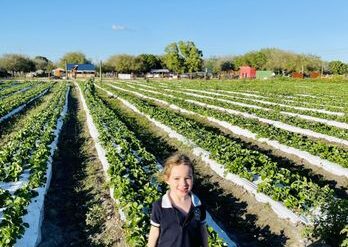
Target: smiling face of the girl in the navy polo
pixel 180 180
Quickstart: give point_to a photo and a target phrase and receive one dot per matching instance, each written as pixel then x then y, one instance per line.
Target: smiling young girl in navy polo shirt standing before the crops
pixel 178 218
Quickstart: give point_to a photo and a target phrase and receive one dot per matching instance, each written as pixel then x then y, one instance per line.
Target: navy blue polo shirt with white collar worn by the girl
pixel 177 229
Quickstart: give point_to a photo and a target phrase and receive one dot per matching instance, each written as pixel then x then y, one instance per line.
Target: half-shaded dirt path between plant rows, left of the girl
pixel 78 207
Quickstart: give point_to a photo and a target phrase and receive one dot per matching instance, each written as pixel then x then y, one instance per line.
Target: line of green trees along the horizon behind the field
pixel 182 57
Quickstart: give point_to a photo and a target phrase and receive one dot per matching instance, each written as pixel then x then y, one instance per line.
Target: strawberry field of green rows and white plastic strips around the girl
pixel 278 146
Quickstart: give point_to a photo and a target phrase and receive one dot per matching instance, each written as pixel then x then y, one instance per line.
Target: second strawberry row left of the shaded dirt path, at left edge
pixel 10 103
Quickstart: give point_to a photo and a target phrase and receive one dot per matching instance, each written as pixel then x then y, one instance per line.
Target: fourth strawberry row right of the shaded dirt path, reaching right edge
pixel 320 127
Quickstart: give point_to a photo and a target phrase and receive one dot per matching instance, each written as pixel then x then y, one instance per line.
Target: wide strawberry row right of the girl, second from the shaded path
pixel 295 191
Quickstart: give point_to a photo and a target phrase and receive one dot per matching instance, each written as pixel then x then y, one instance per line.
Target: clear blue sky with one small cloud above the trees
pixel 100 29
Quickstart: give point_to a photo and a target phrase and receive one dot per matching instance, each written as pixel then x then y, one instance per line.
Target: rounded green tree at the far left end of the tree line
pixel 16 63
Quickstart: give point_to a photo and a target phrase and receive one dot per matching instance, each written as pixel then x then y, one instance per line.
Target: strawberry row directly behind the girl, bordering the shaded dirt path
pixel 132 170
